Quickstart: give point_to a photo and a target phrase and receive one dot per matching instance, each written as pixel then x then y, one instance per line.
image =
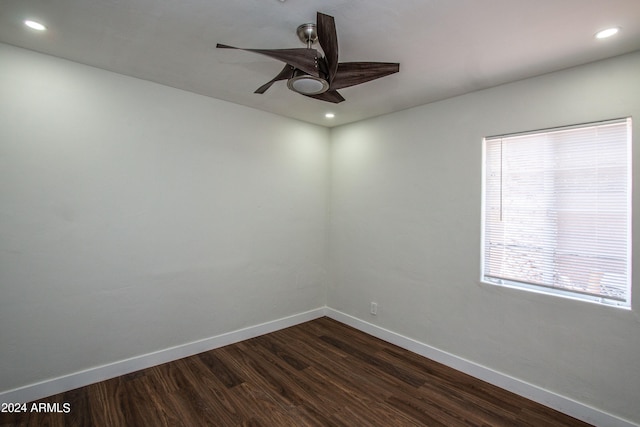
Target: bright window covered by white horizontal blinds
pixel 557 211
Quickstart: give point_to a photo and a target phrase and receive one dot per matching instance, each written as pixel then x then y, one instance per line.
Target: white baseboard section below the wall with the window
pixel 537 394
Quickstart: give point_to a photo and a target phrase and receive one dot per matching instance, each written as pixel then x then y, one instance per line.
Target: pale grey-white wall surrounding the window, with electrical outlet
pixel 405 233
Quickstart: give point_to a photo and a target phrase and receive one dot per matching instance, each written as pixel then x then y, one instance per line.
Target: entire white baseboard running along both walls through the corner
pixel 79 379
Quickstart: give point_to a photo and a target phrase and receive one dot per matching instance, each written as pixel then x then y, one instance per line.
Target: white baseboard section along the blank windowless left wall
pixel 64 383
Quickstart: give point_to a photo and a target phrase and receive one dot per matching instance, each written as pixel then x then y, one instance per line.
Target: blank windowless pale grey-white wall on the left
pixel 135 217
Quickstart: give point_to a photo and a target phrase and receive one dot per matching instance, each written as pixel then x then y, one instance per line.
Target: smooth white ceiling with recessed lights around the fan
pixel 445 47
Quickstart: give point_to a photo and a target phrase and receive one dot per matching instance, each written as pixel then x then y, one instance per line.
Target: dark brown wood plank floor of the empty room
pixel 320 373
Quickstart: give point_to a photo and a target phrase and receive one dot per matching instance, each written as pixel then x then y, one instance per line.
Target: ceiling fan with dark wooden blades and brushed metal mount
pixel 316 76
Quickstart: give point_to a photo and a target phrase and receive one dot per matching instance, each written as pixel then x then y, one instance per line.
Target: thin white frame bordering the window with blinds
pixel 542 288
